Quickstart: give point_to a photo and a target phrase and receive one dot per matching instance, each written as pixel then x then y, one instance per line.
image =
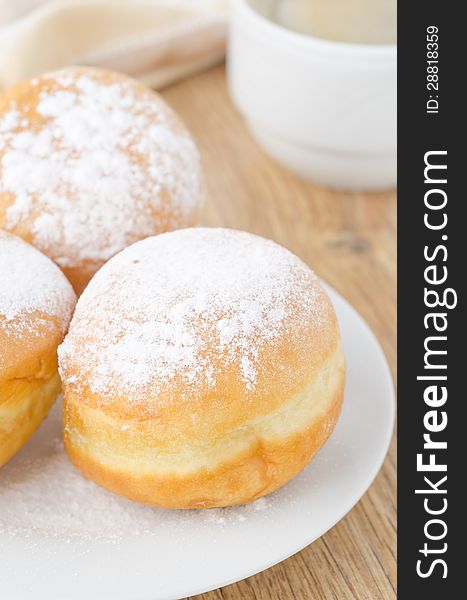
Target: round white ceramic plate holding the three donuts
pixel 62 538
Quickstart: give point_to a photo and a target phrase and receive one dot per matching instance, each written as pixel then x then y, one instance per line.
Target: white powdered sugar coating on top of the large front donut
pixel 186 307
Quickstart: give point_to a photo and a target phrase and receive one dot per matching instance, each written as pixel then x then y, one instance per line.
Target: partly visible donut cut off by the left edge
pixel 36 302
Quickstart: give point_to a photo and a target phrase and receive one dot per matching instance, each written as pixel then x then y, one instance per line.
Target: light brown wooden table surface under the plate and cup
pixel 350 241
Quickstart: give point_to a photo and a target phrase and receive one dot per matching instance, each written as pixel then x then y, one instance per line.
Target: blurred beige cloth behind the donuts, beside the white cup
pixel 157 41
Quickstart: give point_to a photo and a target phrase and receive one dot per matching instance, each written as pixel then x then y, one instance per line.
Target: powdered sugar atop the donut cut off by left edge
pixel 29 282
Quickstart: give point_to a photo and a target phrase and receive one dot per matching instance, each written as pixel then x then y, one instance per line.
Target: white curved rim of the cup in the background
pixel 383 51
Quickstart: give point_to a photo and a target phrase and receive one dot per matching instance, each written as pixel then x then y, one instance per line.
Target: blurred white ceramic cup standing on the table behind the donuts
pixel 324 109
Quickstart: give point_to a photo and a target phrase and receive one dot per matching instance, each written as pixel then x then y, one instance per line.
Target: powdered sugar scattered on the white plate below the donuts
pixel 43 495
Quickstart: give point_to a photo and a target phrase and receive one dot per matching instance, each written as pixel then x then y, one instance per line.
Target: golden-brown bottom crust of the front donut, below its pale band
pixel 263 468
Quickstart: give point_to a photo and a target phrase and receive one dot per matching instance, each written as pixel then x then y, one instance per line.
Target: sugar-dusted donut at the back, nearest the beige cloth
pixel 90 162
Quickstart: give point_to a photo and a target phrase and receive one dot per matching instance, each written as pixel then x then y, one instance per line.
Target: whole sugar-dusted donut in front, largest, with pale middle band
pixel 202 368
